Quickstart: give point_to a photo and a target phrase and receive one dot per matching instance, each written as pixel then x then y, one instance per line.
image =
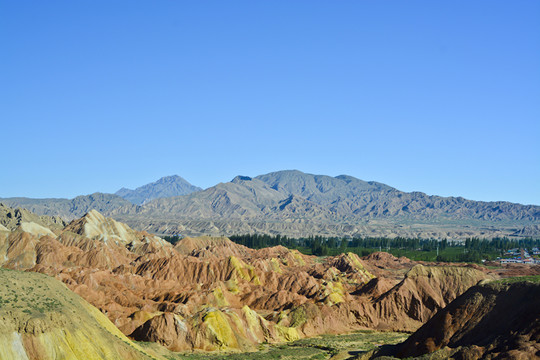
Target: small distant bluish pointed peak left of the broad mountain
pixel 168 186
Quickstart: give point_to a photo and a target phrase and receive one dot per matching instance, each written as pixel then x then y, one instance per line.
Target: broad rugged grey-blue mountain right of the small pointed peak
pixel 272 195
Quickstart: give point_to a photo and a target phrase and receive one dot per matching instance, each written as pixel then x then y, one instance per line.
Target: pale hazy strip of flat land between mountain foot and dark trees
pixel 304 227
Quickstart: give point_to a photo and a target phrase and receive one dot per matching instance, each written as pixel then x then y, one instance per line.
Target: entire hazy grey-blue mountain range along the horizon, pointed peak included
pixel 294 203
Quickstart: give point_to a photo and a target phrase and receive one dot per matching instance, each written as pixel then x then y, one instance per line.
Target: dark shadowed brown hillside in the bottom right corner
pixel 493 320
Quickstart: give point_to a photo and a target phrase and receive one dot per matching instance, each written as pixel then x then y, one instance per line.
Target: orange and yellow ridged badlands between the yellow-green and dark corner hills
pixel 210 294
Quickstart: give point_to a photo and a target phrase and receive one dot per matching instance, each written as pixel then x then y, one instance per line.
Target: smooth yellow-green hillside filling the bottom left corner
pixel 43 319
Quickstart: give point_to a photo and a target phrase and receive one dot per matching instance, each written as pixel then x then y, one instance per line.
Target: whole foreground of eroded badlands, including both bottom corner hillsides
pixel 86 289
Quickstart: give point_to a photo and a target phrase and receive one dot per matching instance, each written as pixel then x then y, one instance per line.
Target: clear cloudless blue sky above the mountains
pixel 435 96
